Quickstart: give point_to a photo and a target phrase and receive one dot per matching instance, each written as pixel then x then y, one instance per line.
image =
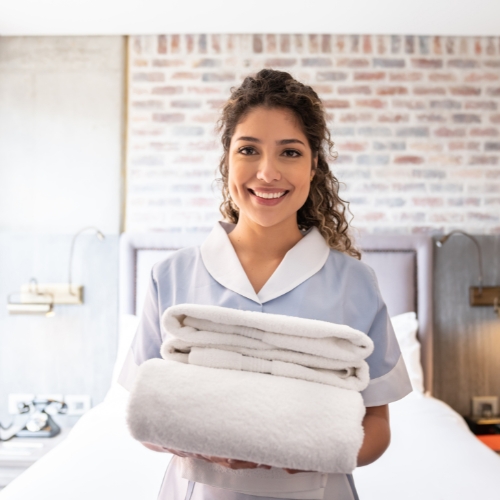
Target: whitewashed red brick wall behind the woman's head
pixel 415 119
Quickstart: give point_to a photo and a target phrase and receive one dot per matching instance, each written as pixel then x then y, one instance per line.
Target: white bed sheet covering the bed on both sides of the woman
pixel 433 456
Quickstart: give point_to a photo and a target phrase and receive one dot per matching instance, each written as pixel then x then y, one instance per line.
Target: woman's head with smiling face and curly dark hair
pixel 276 127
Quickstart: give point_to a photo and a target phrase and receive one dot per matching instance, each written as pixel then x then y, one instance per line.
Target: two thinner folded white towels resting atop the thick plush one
pixel 316 351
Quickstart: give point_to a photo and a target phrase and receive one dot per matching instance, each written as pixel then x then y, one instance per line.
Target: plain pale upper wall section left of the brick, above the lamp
pixel 60 133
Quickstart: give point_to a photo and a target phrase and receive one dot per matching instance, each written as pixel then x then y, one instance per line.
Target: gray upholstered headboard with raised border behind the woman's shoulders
pixel 403 265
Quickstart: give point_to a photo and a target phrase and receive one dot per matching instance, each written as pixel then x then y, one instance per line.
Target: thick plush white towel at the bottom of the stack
pixel 273 420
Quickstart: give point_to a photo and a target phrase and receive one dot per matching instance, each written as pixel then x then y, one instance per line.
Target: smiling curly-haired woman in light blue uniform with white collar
pixel 284 248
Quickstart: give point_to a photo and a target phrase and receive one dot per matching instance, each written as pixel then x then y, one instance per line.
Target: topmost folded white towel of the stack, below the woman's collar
pixel 211 325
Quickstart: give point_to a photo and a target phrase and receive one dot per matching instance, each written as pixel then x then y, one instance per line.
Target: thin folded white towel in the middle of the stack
pixel 339 373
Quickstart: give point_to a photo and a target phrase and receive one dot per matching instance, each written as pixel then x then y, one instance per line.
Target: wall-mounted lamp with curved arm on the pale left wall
pixel 40 298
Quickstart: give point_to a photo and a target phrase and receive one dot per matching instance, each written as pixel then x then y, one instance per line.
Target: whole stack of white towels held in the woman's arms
pixel 265 388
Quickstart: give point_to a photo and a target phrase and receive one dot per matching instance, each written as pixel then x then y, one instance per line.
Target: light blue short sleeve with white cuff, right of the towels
pixel 389 380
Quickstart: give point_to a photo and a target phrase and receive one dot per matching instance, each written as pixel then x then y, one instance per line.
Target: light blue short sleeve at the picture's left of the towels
pixel 147 340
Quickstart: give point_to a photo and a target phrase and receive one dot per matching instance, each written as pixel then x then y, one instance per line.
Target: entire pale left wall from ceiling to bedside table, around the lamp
pixel 61 142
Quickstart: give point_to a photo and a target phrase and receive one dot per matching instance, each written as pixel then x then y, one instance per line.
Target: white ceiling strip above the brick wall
pixel 119 17
